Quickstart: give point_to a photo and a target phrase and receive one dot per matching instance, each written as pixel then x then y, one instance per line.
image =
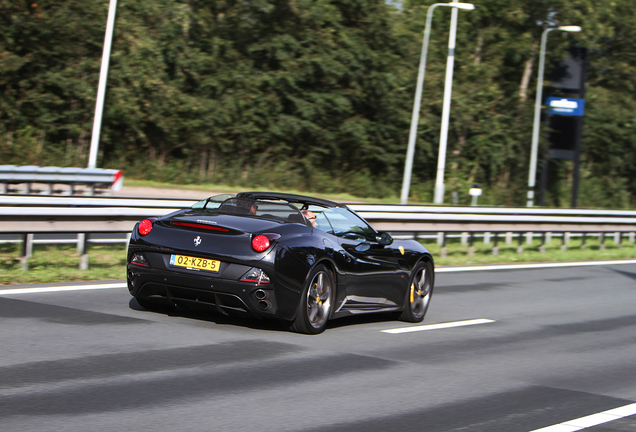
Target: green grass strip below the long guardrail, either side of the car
pixel 60 263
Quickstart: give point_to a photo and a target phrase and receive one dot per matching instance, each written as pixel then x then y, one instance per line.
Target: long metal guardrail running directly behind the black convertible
pixel 27 215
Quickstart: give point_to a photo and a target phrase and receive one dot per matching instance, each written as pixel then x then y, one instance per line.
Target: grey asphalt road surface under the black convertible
pixel 559 345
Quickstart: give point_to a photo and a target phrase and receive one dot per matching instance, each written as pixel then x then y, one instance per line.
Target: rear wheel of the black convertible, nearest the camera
pixel 316 302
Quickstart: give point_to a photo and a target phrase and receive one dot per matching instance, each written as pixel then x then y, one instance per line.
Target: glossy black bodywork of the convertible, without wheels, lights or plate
pixel 369 276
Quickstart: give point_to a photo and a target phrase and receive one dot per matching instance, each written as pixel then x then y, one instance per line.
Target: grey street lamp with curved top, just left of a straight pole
pixel 408 166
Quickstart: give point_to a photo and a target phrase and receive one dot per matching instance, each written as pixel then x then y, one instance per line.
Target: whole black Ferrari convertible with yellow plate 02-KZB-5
pixel 298 259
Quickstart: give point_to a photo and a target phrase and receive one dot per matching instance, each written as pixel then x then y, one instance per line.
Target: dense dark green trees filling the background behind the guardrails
pixel 313 94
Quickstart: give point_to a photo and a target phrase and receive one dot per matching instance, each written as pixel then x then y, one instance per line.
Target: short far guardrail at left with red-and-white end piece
pixel 48 177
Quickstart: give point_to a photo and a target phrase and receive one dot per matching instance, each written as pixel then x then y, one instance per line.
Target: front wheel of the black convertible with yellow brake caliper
pixel 418 295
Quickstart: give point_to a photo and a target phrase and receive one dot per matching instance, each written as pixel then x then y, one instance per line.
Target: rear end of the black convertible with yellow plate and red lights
pixel 198 258
